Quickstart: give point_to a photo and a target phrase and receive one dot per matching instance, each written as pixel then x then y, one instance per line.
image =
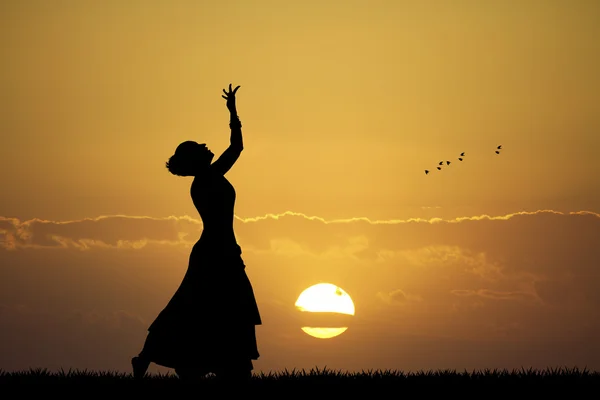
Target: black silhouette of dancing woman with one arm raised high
pixel 209 323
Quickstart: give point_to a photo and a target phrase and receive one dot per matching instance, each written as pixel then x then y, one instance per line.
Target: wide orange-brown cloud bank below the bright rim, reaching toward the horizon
pixel 526 276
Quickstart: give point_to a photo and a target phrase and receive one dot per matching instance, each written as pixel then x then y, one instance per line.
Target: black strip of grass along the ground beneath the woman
pixel 318 381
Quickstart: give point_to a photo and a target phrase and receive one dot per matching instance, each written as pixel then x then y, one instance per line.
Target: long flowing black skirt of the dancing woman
pixel 210 320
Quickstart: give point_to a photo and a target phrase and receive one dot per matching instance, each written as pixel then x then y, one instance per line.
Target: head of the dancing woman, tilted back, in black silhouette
pixel 190 159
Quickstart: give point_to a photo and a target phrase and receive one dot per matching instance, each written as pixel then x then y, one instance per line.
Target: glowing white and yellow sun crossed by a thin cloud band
pixel 329 300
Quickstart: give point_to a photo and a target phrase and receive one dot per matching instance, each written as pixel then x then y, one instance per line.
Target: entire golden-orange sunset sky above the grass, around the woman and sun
pixel 492 262
